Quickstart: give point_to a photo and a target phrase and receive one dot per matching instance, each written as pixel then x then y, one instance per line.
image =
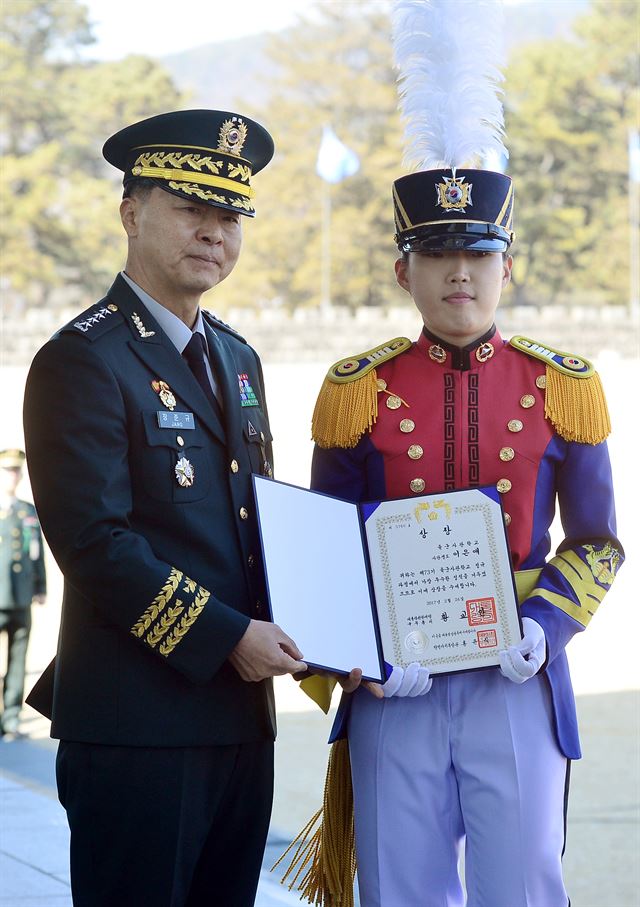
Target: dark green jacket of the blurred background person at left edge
pixel 22 571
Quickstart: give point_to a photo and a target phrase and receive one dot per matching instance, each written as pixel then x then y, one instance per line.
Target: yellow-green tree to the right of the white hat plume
pixel 569 106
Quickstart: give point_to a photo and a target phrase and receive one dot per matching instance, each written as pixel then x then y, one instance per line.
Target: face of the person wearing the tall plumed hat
pixel 457 293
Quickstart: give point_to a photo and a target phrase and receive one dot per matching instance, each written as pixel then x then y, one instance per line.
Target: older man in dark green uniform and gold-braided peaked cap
pixel 144 419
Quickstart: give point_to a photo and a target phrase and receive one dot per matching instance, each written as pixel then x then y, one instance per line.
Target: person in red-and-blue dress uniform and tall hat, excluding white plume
pixel 483 756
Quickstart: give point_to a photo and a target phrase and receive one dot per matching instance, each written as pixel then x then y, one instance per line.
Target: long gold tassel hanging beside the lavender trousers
pixel 327 854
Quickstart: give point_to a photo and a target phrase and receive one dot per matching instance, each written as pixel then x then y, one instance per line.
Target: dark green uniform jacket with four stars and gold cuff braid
pixel 161 578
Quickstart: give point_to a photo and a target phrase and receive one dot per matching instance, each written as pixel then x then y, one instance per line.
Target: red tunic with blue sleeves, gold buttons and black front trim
pixel 450 418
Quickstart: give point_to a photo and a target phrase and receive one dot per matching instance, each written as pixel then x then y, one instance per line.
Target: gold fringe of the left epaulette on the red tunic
pixel 344 411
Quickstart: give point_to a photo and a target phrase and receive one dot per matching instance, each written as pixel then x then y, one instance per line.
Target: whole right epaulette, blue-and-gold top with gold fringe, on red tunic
pixel 577 409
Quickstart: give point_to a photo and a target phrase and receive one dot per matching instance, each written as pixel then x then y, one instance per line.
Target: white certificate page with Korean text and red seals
pixel 443 580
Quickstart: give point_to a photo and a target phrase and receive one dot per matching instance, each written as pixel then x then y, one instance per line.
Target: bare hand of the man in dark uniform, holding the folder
pixel 266 651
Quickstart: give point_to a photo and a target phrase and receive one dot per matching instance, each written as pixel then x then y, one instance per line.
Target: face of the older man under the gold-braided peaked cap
pixel 179 247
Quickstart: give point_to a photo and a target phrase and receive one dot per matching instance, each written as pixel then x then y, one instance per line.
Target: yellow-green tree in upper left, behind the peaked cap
pixel 59 225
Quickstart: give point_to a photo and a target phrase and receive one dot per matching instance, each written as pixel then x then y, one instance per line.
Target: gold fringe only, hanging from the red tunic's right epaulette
pixel 576 407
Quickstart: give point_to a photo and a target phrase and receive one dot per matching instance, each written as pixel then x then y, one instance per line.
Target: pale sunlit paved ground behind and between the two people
pixel 602 859
